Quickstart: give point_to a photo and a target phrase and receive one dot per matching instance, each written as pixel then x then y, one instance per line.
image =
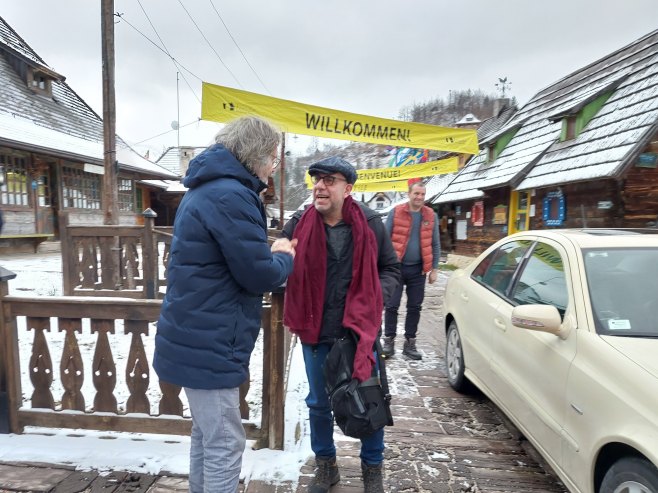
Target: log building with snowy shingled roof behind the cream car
pixel 583 152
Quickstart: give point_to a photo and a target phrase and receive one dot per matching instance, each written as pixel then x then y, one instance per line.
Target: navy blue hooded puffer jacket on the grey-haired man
pixel 220 265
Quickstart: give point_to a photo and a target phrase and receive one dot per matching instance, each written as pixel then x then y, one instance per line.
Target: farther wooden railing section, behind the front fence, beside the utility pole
pixel 125 261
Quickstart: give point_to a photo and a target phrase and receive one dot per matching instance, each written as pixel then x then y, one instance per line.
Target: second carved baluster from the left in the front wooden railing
pixel 71 367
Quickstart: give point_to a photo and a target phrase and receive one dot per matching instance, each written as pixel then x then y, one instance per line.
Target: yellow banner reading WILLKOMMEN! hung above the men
pixel 222 104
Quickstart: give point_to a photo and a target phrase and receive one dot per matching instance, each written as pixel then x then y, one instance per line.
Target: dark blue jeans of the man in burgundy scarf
pixel 321 417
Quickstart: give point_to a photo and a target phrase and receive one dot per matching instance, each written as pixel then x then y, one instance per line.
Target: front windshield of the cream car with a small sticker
pixel 623 288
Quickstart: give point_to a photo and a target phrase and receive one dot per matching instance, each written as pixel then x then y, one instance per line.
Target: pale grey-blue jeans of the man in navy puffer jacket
pixel 217 442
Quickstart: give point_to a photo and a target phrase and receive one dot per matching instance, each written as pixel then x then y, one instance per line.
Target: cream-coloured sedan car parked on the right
pixel 559 328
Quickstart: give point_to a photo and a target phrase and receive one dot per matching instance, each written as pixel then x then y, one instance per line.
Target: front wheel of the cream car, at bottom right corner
pixel 630 475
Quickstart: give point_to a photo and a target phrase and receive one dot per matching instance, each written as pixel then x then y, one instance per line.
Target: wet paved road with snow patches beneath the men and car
pixel 441 442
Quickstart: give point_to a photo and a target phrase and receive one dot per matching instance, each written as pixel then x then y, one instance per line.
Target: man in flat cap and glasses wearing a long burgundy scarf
pixel 345 271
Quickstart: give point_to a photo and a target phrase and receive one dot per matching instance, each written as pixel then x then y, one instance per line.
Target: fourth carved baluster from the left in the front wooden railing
pixel 137 368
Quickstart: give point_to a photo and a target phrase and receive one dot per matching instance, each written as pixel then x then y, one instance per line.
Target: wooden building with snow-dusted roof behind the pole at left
pixel 51 153
